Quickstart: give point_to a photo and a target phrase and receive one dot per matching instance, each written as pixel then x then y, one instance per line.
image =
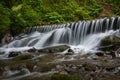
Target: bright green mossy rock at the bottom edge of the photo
pixel 57 76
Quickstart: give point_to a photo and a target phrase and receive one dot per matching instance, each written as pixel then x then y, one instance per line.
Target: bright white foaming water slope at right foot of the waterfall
pixel 89 44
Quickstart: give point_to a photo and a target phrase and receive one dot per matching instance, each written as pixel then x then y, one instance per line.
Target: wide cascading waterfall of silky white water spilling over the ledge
pixel 85 35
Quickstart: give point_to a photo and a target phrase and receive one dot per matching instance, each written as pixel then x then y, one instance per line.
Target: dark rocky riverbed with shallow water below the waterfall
pixel 54 63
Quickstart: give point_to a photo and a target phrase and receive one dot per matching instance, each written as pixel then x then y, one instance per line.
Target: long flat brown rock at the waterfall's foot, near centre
pixel 54 49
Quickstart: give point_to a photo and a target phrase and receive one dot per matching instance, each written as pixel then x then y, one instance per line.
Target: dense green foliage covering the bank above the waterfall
pixel 16 15
